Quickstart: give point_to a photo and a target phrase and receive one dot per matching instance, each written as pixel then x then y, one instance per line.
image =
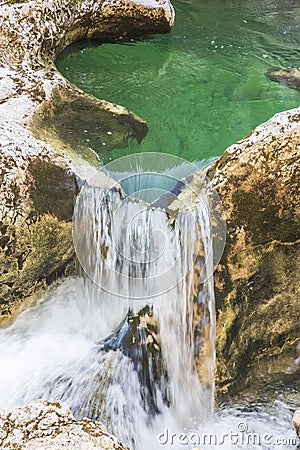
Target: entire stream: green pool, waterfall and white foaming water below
pixel 120 341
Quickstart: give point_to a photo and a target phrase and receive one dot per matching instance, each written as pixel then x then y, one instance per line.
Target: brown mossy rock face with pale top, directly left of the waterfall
pixel 37 195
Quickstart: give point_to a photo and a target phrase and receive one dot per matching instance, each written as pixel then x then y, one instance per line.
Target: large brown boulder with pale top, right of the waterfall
pixel 257 281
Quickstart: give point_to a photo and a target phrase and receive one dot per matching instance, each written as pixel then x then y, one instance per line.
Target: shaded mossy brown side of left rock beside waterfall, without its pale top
pixel 38 248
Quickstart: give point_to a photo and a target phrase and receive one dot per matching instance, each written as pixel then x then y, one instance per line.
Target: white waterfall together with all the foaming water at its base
pixel 117 342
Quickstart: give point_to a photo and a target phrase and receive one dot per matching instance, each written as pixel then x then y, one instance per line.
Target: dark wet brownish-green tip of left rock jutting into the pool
pixel 83 123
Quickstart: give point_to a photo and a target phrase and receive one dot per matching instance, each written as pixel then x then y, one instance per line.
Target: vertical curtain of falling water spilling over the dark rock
pixel 148 273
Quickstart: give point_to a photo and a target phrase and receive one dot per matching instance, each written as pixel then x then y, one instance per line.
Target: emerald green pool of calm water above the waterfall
pixel 201 87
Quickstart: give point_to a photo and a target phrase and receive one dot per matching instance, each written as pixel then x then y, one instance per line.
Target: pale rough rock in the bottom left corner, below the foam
pixel 45 425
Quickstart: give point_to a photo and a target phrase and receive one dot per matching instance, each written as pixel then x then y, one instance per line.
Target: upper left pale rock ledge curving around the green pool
pixel 34 94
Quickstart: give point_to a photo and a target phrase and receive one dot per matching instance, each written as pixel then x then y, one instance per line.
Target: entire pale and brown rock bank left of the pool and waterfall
pixel 48 127
